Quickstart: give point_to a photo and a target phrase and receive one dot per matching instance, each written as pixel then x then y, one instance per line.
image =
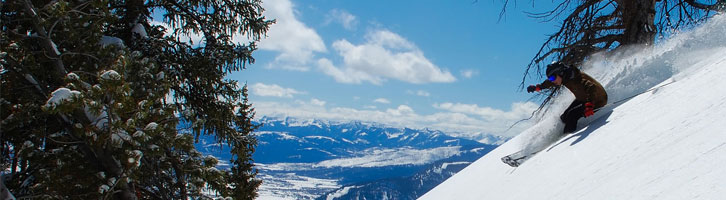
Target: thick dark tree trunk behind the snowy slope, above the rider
pixel 638 19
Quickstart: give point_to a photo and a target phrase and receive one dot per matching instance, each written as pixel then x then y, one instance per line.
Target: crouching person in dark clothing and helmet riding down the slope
pixel 589 94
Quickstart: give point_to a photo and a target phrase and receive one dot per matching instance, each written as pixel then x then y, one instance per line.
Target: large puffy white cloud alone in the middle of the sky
pixel 384 55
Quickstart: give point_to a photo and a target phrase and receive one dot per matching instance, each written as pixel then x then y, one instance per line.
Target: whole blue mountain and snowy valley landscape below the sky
pixel 304 159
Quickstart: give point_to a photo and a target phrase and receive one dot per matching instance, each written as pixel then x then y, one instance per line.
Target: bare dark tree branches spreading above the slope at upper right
pixel 597 25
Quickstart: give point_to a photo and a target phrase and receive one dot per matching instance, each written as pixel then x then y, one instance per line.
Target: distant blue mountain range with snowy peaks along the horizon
pixel 330 144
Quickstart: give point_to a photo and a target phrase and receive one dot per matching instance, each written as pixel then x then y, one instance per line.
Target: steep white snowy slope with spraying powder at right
pixel 669 143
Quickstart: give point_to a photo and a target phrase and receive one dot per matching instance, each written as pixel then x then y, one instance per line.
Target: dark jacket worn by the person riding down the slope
pixel 584 87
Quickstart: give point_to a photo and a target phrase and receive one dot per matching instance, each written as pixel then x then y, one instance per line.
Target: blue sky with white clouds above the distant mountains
pixel 447 65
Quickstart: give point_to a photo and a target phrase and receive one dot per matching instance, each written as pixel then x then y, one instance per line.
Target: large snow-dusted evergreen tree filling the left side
pixel 101 101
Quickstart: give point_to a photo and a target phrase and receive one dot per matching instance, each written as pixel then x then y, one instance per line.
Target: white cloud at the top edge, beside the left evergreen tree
pixel 295 41
